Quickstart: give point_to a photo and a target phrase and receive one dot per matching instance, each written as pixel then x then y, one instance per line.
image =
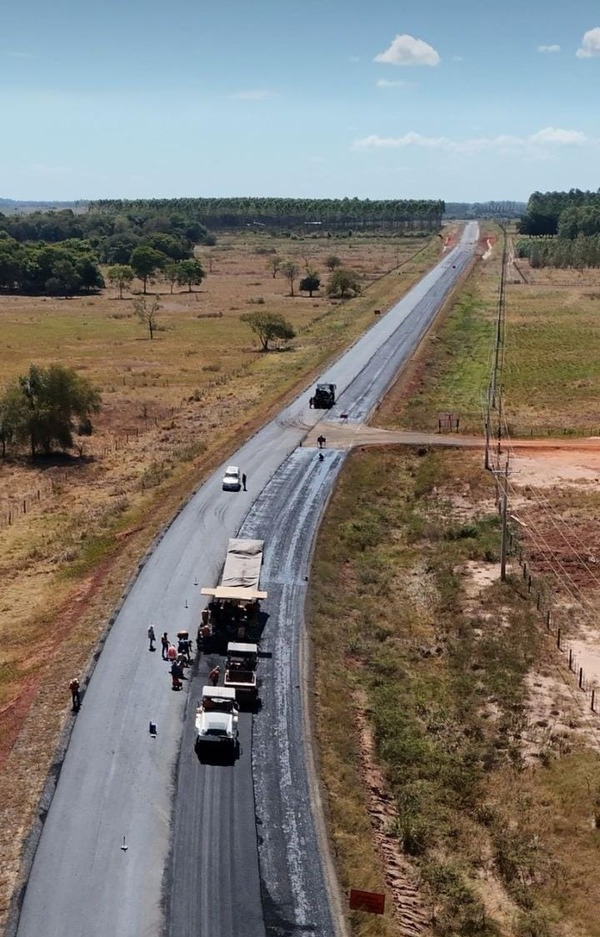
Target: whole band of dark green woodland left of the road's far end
pixel 59 252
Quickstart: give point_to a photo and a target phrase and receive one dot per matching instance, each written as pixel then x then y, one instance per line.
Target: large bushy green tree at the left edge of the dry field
pixel 46 406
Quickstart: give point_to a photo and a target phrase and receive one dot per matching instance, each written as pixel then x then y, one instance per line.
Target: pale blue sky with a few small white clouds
pixel 466 100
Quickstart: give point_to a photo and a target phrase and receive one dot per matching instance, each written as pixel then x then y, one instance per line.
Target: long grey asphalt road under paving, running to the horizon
pixel 220 850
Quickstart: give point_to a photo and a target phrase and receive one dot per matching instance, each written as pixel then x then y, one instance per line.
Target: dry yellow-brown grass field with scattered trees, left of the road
pixel 174 407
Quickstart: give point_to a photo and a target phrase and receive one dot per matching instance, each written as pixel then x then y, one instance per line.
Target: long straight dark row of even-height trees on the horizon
pixel 218 214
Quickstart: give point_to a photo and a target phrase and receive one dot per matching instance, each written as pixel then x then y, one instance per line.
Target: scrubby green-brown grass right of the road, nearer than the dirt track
pixel 409 621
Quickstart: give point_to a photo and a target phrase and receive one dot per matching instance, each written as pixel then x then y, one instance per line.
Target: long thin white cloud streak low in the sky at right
pixel 548 137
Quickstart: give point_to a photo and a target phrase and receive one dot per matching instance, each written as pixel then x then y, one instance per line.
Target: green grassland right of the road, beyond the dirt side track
pixel 551 356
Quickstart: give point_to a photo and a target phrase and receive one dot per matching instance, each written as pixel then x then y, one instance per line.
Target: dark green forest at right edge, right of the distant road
pixel 562 228
